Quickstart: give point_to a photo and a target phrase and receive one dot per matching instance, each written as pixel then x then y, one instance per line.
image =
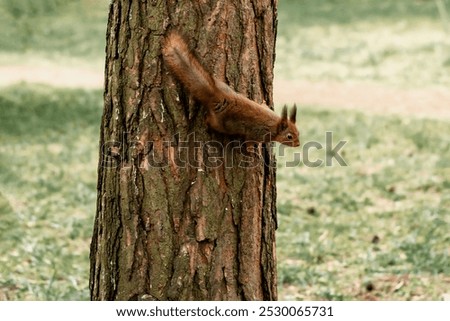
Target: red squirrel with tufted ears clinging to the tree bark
pixel 228 112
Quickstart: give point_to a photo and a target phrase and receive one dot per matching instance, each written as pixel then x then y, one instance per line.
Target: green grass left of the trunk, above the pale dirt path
pixel 54 28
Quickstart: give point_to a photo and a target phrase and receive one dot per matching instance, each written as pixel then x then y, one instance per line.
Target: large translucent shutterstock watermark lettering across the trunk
pixel 192 152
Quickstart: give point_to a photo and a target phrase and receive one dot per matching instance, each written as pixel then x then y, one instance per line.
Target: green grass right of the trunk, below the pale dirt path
pixel 383 220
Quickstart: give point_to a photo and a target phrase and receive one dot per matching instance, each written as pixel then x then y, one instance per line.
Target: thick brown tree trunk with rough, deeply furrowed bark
pixel 183 213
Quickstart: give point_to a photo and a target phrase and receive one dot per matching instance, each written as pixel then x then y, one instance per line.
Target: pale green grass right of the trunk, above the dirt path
pixel 400 42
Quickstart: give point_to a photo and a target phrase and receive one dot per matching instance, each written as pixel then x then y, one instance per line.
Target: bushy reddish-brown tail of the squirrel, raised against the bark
pixel 187 69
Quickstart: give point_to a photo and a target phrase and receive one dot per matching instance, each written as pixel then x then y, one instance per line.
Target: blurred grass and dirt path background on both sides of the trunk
pixel 376 73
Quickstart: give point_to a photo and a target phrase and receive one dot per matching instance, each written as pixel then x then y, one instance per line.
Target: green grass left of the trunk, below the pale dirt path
pixel 48 148
